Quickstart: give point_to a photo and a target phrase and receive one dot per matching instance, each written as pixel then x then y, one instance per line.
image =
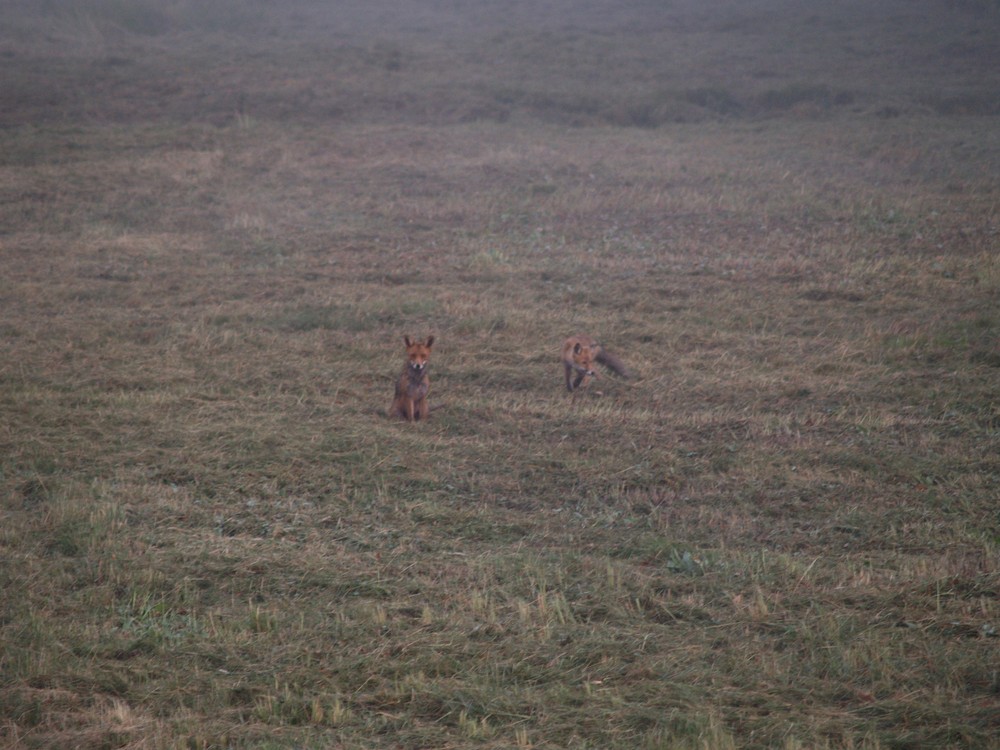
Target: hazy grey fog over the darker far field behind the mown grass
pixel 643 63
